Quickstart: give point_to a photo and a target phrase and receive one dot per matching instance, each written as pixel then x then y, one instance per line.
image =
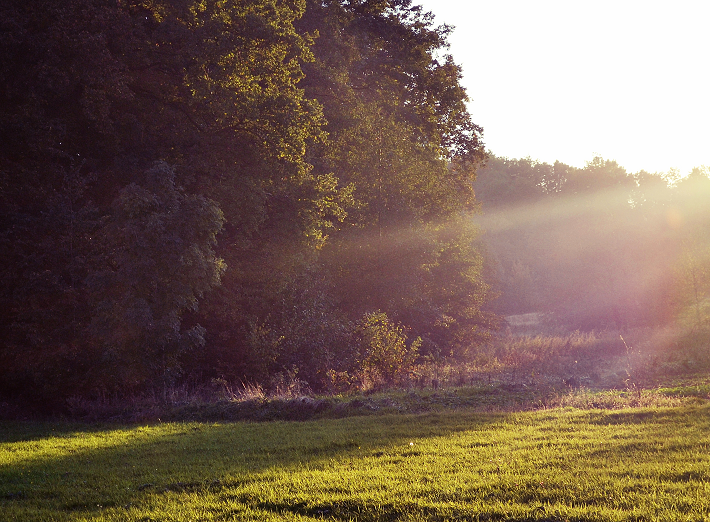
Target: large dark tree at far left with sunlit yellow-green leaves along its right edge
pixel 93 94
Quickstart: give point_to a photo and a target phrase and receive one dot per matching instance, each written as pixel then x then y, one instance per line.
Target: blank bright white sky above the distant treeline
pixel 568 79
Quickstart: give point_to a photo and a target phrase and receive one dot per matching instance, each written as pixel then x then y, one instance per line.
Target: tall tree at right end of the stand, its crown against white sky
pixel 402 138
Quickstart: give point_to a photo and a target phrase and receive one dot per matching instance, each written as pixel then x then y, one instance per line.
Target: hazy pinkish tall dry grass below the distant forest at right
pixel 596 360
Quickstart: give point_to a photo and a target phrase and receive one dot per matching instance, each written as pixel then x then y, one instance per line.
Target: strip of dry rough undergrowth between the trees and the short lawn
pixel 582 370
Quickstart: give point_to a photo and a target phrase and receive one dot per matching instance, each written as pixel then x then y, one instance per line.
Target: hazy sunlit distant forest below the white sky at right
pixel 597 247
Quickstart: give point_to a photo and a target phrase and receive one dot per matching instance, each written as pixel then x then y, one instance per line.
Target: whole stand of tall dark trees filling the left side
pixel 210 189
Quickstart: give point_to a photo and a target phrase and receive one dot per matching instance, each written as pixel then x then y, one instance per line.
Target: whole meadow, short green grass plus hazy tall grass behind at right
pixel 589 439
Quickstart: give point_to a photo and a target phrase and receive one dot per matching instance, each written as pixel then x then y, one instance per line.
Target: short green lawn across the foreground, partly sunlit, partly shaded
pixel 564 464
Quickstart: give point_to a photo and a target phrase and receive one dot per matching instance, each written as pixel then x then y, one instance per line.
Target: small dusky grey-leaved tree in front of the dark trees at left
pixel 162 262
